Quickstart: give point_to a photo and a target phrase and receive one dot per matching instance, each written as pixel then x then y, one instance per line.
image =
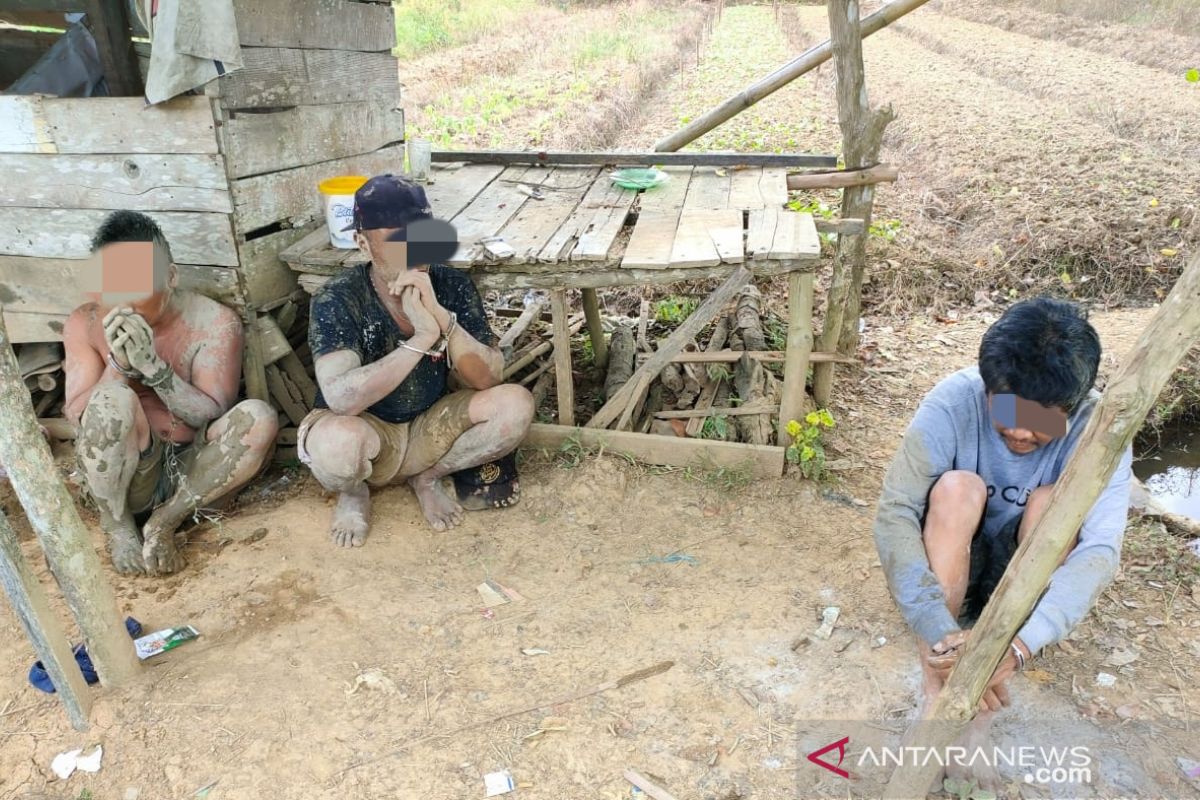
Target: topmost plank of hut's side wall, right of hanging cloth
pixel 328 25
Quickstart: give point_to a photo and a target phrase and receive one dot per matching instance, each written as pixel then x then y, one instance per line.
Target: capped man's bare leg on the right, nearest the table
pixel 501 417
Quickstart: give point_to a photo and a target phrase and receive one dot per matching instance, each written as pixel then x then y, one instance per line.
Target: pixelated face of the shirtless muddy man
pixel 133 274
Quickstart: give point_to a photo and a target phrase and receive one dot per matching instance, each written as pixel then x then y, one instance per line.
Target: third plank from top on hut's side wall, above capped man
pixel 305 135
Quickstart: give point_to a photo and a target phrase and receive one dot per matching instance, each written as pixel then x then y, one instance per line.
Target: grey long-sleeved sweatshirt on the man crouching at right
pixel 952 430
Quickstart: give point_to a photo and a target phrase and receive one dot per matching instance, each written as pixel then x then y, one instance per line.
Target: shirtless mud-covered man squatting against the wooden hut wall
pixel 152 380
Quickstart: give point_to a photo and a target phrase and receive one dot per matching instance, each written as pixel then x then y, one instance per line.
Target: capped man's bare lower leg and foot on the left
pixel 340 450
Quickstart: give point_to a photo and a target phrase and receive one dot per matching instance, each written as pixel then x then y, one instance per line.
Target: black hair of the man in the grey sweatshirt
pixel 1043 351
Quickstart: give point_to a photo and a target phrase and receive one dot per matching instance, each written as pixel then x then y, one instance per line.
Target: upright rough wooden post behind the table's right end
pixel 862 134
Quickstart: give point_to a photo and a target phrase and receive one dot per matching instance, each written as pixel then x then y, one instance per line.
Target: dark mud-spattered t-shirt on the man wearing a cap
pixel 349 315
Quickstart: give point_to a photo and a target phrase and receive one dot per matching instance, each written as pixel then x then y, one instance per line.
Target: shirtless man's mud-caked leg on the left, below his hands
pixel 113 432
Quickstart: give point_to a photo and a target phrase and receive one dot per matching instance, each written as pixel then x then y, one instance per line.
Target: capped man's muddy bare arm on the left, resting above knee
pixel 351 388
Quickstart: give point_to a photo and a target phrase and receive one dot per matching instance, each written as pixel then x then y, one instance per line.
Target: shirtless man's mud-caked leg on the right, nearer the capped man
pixel 236 449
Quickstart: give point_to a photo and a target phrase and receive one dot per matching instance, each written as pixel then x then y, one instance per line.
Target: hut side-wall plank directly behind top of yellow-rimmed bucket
pixel 292 195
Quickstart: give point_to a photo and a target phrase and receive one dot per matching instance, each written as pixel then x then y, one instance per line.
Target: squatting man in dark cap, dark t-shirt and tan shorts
pixel 387 336
